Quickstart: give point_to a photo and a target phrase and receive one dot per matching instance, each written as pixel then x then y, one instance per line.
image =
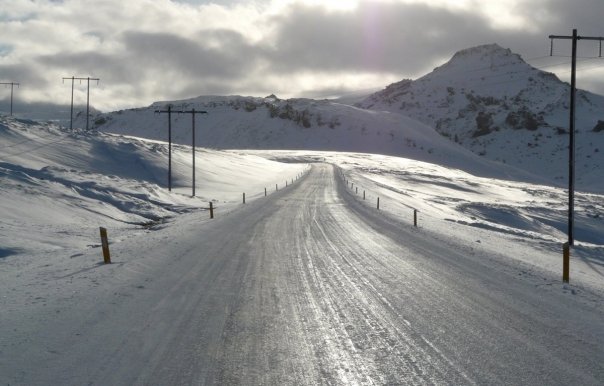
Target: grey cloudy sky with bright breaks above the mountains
pixel 149 50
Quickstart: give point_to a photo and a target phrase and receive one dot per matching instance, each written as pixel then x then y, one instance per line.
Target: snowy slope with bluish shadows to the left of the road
pixel 58 186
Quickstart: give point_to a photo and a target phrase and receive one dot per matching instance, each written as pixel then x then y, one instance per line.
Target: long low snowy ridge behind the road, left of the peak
pixel 237 122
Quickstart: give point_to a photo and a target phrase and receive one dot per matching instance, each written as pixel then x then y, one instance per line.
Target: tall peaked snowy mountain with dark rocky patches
pixel 492 102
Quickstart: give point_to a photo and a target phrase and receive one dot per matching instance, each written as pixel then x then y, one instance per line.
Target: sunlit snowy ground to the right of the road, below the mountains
pixel 528 221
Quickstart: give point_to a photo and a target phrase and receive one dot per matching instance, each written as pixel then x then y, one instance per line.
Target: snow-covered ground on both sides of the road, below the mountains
pixel 58 186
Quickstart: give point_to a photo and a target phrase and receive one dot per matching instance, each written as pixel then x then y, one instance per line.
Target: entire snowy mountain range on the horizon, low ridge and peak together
pixel 486 109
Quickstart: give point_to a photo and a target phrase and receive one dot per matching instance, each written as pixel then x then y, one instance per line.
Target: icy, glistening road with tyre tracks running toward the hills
pixel 307 286
